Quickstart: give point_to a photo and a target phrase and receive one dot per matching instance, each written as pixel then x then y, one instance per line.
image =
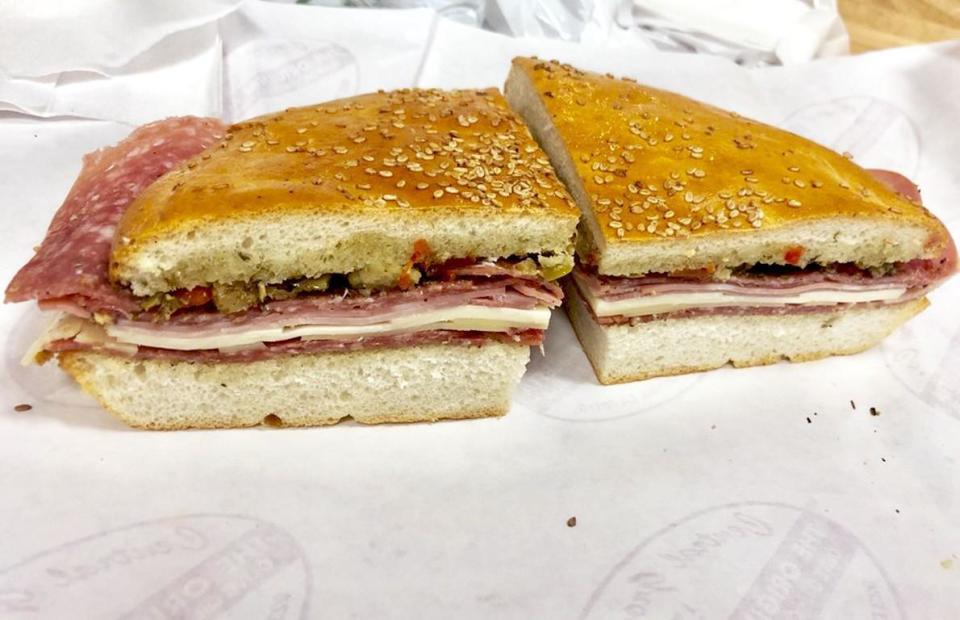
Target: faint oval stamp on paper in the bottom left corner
pixel 190 567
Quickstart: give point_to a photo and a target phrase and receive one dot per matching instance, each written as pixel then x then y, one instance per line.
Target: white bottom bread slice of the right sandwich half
pixel 673 346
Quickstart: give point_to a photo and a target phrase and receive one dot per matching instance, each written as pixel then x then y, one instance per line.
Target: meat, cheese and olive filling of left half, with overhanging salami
pixel 464 300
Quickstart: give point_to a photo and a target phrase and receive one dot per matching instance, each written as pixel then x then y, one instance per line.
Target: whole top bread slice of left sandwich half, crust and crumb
pixel 353 186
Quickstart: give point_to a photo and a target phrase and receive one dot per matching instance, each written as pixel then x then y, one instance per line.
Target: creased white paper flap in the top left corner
pixel 100 59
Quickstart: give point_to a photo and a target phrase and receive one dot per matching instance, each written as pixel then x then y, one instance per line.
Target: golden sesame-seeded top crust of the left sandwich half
pixel 437 152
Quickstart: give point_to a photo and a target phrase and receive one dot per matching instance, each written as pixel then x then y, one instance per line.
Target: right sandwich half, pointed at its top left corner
pixel 708 238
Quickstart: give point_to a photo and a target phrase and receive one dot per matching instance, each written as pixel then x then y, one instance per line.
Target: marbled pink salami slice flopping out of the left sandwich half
pixel 71 264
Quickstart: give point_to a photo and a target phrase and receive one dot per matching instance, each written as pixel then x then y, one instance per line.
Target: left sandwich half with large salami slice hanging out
pixel 389 258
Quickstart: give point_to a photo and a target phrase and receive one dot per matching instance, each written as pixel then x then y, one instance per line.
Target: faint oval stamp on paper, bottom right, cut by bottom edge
pixel 748 561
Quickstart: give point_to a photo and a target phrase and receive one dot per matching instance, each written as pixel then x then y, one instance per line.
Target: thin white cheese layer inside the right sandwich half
pixel 673 302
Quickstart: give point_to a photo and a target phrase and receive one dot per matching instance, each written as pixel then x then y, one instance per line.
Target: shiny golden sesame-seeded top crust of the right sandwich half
pixel 656 164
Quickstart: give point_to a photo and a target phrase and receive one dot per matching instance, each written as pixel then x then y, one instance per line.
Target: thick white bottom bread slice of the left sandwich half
pixel 408 384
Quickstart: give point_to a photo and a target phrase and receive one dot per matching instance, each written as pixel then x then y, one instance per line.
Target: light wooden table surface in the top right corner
pixel 877 24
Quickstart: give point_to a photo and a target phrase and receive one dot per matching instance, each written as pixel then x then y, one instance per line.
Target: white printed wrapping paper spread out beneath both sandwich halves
pixel 748 493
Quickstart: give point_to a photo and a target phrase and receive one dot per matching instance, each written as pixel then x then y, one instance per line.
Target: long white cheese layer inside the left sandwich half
pixel 465 317
